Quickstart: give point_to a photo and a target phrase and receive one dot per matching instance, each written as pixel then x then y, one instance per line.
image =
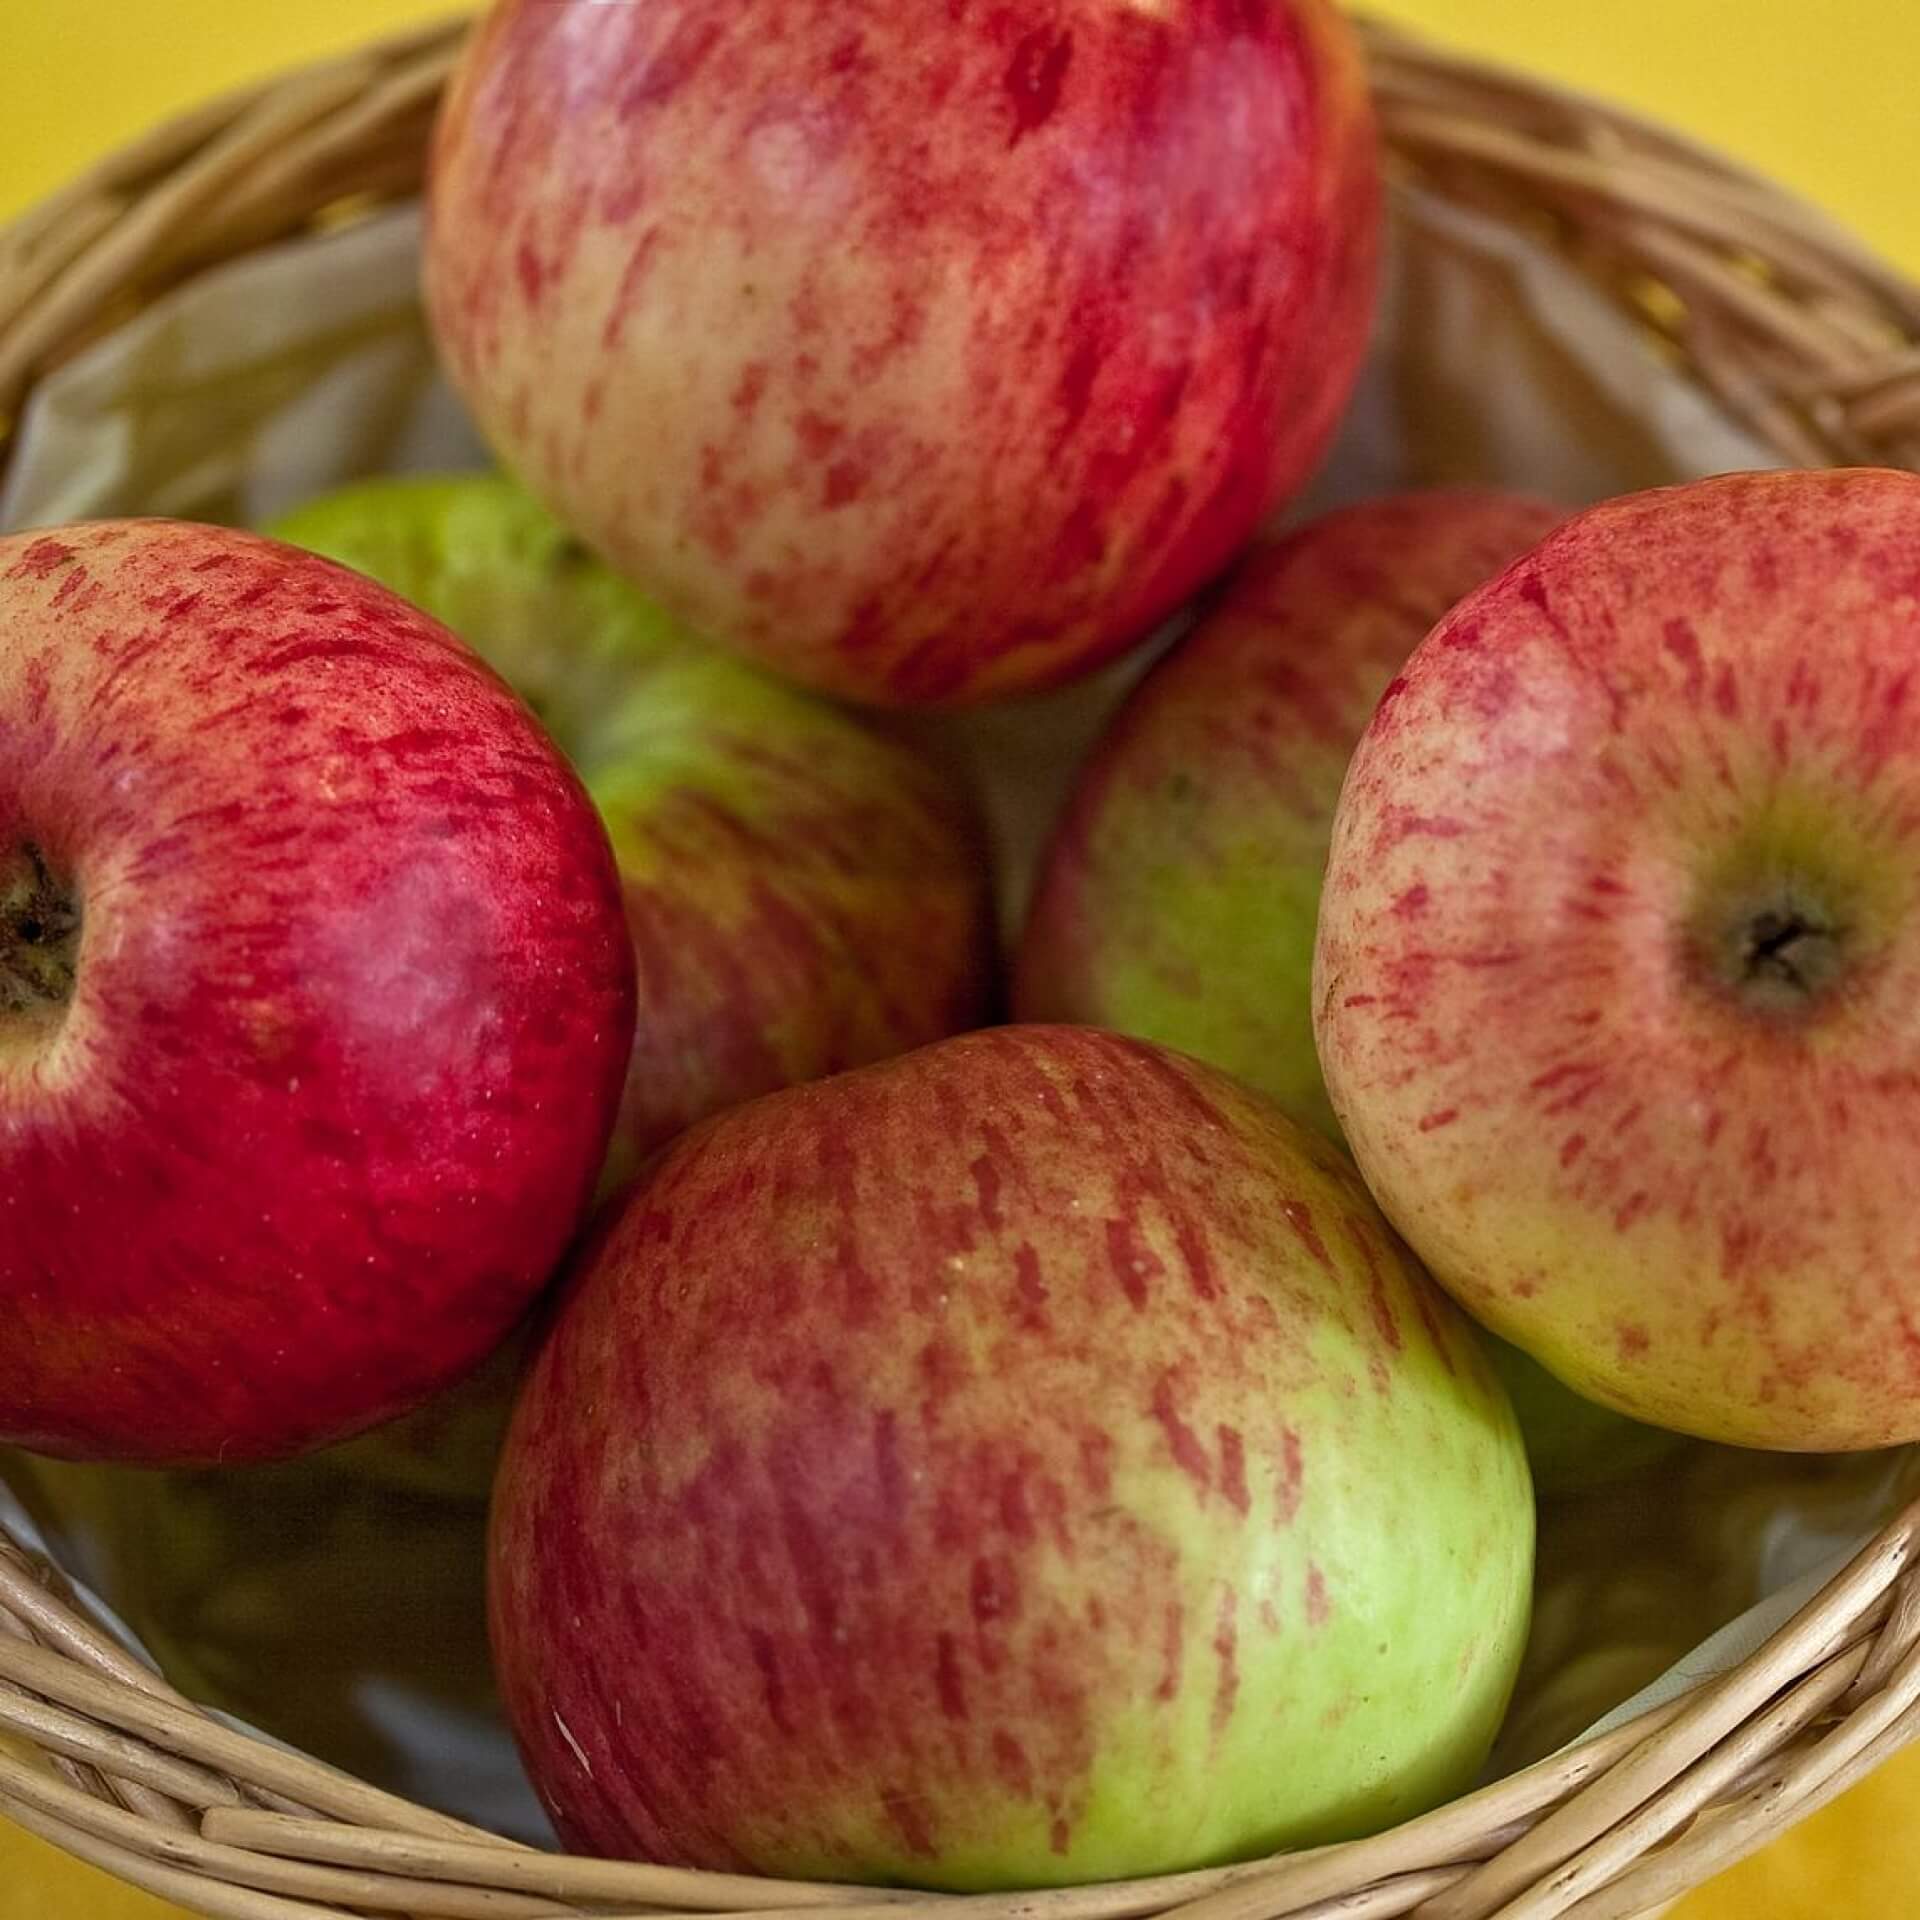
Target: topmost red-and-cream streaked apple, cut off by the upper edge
pixel 965 343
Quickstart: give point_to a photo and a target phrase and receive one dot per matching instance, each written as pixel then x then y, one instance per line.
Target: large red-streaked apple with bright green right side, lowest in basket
pixel 1024 1462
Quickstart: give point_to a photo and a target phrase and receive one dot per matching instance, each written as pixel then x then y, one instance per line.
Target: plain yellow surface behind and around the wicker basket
pixel 1819 93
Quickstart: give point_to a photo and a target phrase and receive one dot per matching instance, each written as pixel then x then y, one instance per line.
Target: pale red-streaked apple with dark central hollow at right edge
pixel 1620 957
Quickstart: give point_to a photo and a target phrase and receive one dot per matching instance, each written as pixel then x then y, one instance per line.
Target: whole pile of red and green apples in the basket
pixel 984 1426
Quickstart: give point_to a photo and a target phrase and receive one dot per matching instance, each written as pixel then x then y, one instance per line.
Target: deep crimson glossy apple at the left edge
pixel 306 1120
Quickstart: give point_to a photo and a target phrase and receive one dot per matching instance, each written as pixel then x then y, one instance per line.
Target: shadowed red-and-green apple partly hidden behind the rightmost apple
pixel 1182 886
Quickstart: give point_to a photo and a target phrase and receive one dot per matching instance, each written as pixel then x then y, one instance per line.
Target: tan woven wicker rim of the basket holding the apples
pixel 1796 331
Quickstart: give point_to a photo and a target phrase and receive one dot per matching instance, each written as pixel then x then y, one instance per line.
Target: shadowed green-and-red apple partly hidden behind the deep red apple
pixel 804 894
